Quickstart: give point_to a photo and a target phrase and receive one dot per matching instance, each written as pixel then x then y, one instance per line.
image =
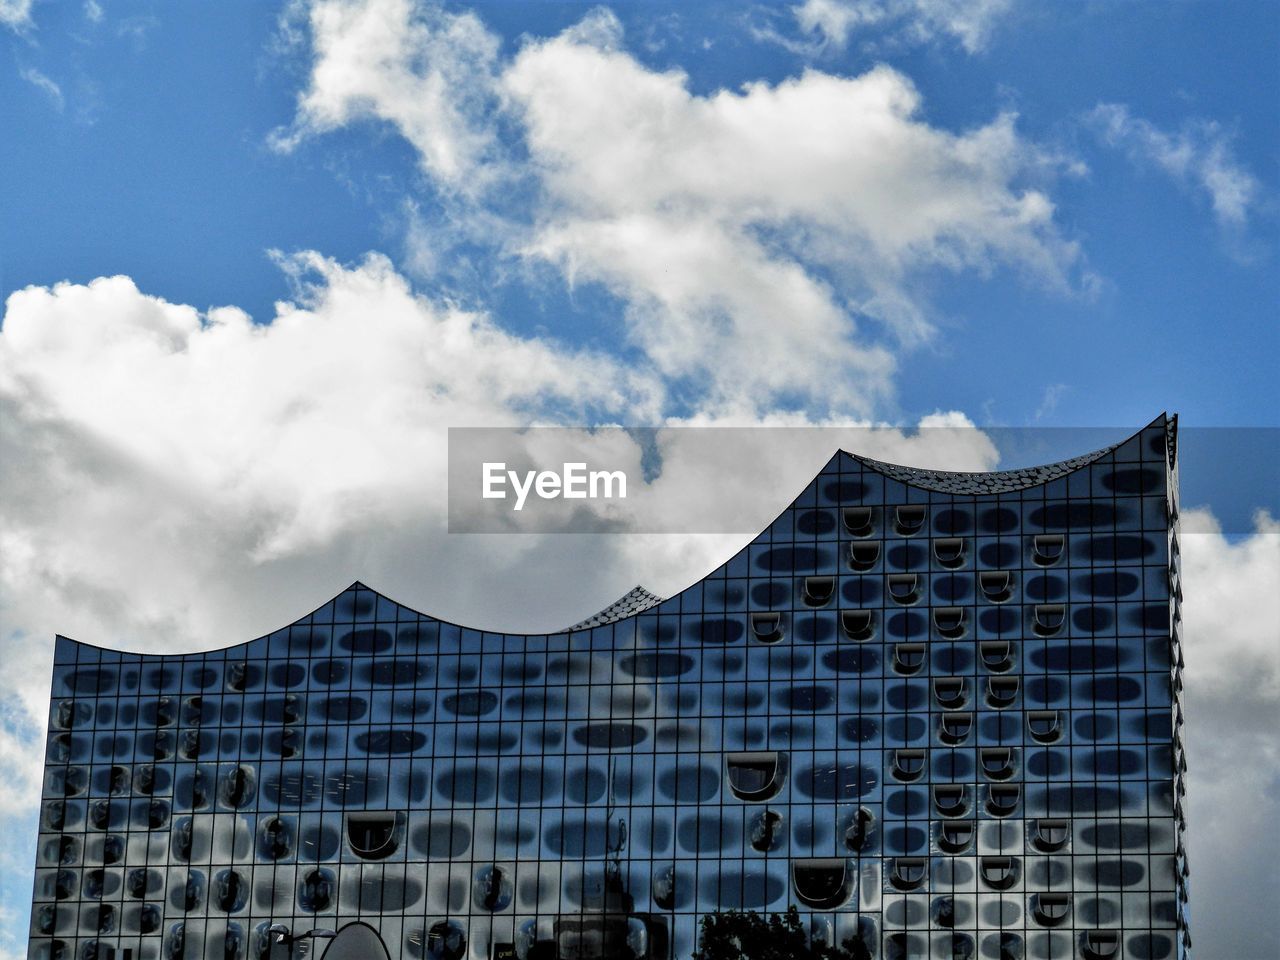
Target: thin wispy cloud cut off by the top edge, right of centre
pixel 968 22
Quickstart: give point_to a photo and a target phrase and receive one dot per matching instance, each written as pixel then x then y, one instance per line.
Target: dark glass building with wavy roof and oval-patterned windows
pixel 939 712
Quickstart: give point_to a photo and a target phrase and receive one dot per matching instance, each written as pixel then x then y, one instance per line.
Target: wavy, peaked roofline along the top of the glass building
pixel 912 477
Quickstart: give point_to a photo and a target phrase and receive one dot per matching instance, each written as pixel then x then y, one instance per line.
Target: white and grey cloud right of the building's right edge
pixel 1231 611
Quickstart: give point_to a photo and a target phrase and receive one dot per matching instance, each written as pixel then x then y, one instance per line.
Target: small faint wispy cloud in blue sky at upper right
pixel 1197 157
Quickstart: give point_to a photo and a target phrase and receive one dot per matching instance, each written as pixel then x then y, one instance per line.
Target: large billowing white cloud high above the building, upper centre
pixel 783 221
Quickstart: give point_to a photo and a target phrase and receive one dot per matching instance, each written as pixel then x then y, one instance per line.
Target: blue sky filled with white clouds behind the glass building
pixel 258 258
